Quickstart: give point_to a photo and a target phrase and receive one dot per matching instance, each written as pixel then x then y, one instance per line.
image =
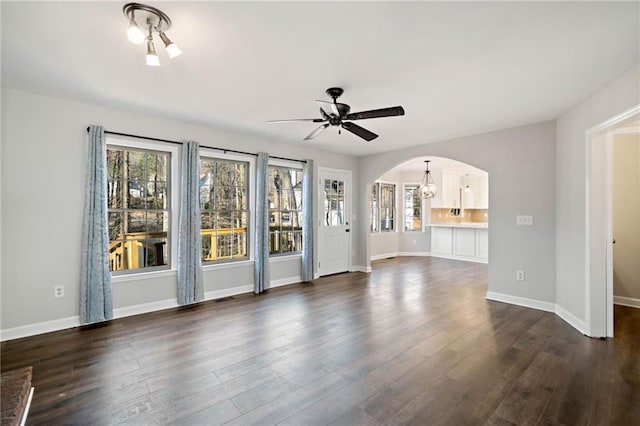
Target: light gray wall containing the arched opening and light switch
pixel 521 163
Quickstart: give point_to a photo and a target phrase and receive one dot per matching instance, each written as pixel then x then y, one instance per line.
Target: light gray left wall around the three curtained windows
pixel 43 179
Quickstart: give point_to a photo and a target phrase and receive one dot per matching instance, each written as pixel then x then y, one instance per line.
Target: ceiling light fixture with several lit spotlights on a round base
pixel 154 20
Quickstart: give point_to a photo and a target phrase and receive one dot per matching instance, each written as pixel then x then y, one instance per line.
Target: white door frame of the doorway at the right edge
pixel 599 225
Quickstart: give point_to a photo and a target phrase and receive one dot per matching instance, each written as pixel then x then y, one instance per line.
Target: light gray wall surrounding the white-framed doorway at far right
pixel 571 149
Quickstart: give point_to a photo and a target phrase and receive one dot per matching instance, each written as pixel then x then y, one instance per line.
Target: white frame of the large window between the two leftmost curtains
pixel 173 195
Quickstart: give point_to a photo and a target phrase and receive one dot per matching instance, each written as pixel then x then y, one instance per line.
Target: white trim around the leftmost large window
pixel 174 197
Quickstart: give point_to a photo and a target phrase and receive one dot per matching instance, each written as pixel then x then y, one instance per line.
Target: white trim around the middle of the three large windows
pixel 251 192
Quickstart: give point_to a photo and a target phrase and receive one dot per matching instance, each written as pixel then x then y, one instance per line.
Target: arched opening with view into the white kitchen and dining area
pixel 453 224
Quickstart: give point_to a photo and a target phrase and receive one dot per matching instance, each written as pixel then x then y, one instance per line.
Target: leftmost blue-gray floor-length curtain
pixel 95 282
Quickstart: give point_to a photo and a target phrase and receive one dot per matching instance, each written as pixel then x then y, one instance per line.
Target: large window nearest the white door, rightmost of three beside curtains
pixel 285 210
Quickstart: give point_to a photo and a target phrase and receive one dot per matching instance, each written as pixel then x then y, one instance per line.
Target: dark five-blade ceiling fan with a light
pixel 338 114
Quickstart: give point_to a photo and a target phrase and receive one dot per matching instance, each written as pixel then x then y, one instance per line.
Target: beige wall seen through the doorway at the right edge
pixel 626 216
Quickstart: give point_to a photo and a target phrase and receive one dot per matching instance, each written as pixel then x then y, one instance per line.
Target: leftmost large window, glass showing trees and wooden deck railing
pixel 138 194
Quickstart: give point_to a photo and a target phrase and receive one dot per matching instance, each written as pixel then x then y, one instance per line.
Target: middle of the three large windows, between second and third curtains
pixel 224 209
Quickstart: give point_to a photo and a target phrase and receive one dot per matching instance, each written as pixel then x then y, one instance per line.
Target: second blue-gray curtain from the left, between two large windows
pixel 190 287
